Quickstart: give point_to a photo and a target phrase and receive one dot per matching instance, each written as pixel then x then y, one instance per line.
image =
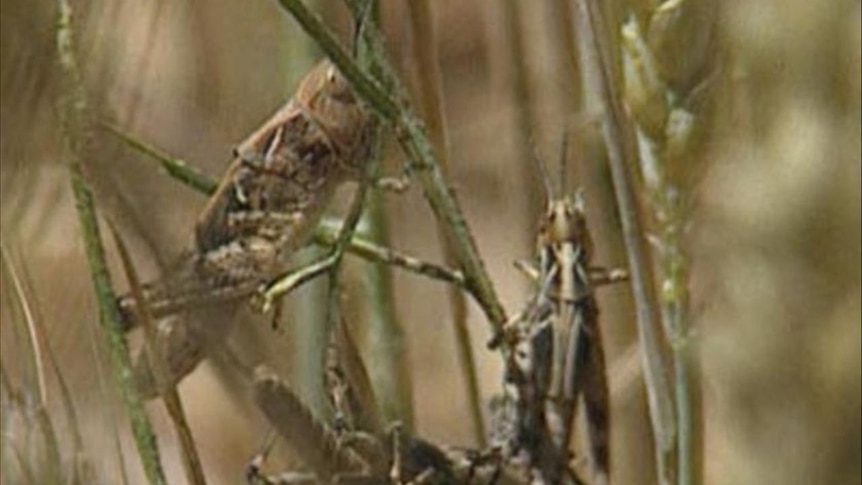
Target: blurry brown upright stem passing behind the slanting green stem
pixel 425 50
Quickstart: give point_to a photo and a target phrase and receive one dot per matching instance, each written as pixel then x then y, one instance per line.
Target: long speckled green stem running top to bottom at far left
pixel 77 130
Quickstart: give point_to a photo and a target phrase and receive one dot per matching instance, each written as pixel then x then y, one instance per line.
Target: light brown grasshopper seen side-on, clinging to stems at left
pixel 270 198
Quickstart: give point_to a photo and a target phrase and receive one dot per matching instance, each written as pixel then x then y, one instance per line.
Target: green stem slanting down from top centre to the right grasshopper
pixel 415 141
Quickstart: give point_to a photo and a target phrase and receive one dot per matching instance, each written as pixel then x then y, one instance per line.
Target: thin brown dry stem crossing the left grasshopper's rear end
pixel 158 364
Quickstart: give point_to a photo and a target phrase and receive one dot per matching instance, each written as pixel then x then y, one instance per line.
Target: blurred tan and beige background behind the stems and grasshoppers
pixel 773 231
